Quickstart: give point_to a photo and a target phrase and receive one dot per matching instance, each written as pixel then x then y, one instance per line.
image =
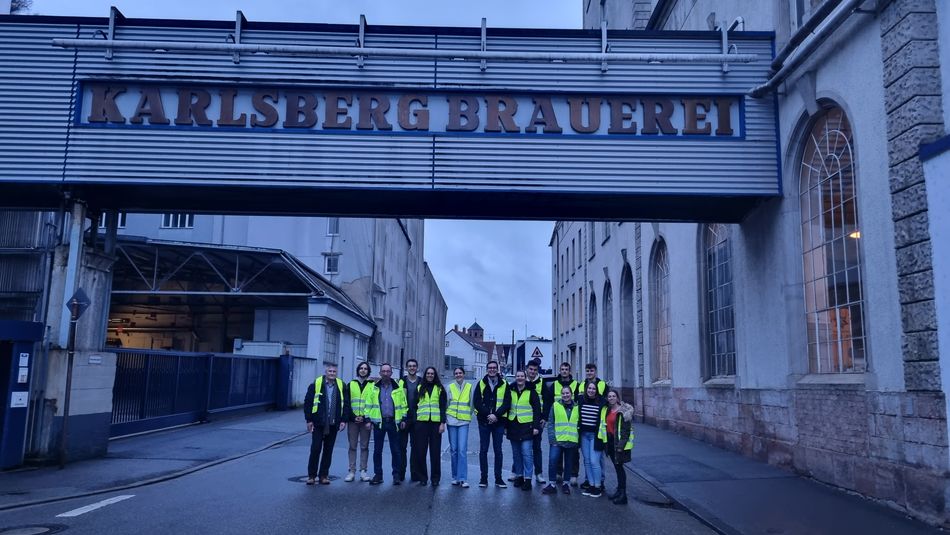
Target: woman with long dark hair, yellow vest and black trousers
pixel 428 417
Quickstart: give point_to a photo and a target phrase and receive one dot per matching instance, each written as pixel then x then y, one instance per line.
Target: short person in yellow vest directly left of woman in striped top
pixel 563 438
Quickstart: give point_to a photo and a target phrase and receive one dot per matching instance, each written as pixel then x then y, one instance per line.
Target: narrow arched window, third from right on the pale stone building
pixel 660 313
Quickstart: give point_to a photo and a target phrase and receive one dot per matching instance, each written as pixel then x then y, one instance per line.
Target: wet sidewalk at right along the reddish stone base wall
pixel 735 494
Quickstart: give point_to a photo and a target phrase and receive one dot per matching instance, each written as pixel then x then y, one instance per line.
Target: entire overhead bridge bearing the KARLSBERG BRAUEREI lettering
pixel 164 128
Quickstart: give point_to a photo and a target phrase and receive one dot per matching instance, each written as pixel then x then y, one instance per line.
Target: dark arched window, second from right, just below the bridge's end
pixel 720 335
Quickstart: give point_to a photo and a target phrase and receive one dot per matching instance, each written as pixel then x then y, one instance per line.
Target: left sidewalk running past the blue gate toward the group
pixel 149 457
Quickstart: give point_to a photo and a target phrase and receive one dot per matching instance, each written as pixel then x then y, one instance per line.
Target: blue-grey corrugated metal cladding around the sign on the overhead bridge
pixel 36 80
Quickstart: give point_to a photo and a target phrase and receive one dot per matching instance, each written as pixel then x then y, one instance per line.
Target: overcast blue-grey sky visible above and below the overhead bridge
pixel 497 272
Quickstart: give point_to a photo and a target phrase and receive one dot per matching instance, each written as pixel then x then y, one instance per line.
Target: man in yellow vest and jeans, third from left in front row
pixel 387 409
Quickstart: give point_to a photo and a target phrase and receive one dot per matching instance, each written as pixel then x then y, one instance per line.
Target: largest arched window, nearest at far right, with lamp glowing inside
pixel 831 255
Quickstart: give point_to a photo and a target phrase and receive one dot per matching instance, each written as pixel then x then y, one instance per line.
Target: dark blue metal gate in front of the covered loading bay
pixel 158 389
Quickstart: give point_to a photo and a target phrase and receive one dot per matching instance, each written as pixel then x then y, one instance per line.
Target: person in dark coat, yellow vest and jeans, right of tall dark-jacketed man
pixel 524 421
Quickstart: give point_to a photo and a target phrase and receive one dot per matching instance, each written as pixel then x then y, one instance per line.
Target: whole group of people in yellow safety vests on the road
pixel 579 417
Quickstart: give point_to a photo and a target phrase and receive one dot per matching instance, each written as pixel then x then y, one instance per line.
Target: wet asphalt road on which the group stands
pixel 264 493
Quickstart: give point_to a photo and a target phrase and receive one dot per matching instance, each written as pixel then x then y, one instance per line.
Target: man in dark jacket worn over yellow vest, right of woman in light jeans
pixel 491 401
